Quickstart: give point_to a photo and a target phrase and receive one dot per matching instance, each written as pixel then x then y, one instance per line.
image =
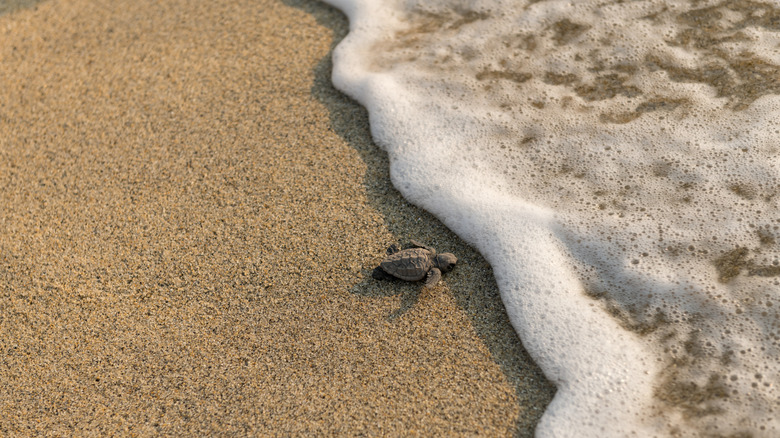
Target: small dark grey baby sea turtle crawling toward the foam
pixel 414 263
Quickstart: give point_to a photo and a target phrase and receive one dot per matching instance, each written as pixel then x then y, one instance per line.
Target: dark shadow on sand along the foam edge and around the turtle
pixel 484 307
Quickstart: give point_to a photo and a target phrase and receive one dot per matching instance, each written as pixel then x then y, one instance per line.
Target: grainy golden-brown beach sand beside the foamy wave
pixel 189 217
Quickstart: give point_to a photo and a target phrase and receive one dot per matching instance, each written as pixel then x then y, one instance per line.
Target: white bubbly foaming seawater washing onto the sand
pixel 618 164
